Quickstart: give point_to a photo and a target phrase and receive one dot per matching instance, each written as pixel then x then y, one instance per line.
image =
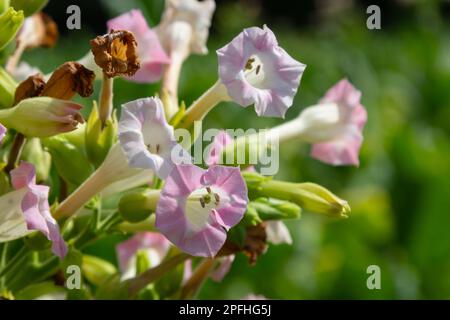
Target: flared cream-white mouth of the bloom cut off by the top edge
pixel 185 26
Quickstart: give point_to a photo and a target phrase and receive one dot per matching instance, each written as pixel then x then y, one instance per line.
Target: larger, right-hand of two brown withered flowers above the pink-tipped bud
pixel 70 78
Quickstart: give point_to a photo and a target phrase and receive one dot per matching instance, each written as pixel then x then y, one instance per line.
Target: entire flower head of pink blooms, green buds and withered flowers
pixel 135 176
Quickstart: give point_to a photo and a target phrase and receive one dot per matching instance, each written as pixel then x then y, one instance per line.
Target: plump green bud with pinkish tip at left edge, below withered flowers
pixel 42 117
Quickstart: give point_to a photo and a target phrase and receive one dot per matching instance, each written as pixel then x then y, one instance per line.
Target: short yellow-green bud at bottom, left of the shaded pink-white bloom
pixel 97 271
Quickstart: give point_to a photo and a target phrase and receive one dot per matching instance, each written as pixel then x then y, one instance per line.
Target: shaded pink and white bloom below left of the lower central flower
pixel 154 244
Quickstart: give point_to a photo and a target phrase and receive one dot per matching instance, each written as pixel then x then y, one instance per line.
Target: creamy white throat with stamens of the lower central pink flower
pixel 201 203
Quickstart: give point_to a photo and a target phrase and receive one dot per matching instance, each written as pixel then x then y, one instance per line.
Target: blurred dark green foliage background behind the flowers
pixel 400 194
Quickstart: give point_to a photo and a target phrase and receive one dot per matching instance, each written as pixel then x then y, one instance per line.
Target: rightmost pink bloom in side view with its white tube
pixel 334 126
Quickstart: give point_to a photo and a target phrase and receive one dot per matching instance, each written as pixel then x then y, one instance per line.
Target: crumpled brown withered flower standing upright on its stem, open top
pixel 116 53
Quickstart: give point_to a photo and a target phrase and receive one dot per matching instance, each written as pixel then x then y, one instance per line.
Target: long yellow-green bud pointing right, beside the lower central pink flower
pixel 309 196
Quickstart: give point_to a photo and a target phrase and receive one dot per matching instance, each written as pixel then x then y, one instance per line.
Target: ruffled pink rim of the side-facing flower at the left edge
pixel 35 207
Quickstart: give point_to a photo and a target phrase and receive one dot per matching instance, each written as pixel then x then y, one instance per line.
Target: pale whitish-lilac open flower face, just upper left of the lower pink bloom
pixel 147 139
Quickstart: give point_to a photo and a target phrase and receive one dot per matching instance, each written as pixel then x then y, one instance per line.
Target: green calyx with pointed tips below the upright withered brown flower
pixel 99 139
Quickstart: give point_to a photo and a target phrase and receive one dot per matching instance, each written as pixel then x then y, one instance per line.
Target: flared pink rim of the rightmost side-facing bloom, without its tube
pixel 345 135
